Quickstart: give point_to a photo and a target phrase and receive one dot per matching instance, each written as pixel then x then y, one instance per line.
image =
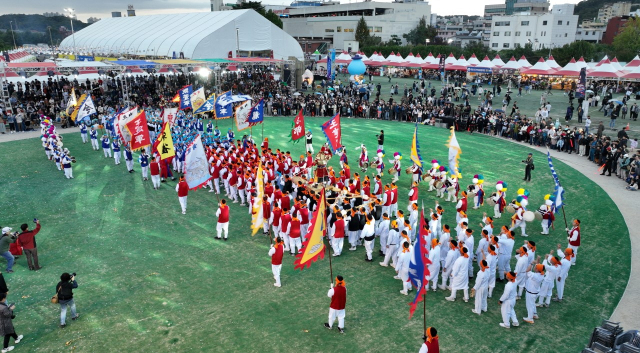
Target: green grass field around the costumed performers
pixel 154 280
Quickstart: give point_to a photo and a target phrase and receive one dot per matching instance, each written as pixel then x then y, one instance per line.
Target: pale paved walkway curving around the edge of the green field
pixel 628 309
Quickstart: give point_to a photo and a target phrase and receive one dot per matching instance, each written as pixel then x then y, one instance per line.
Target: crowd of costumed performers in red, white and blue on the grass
pixel 365 212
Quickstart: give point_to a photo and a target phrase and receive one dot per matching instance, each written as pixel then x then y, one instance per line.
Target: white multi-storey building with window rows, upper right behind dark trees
pixel 551 29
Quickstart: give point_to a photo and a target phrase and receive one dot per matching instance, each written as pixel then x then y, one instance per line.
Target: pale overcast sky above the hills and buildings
pixel 103 9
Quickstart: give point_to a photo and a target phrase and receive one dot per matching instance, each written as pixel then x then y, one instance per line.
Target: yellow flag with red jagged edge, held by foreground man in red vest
pixel 313 247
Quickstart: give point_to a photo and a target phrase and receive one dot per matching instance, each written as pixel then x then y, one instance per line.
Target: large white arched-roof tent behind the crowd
pixel 201 35
